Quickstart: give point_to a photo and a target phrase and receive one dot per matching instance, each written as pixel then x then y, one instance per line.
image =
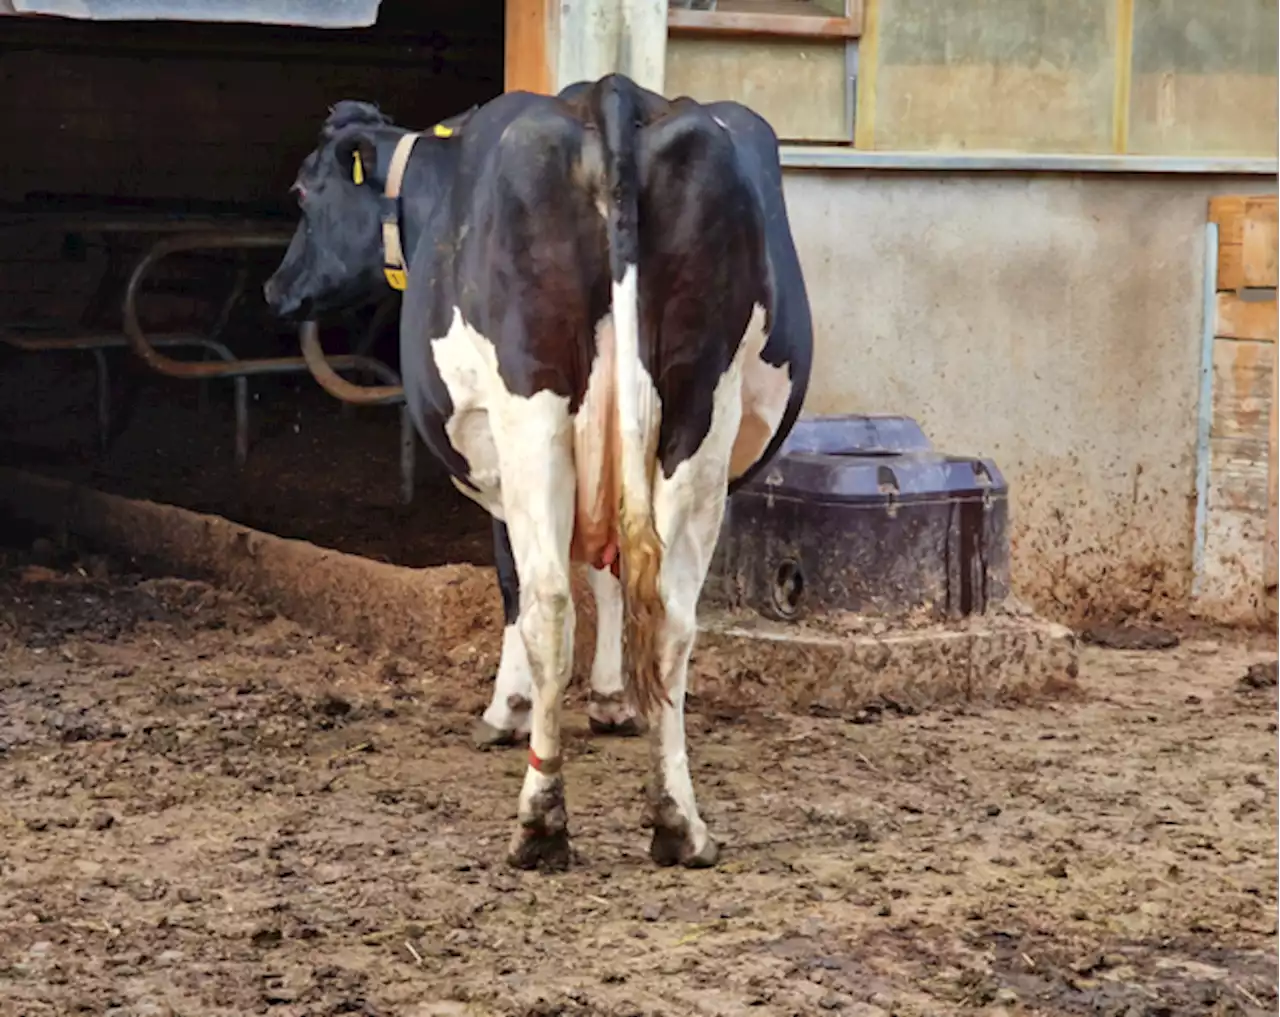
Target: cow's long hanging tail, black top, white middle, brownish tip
pixel 636 401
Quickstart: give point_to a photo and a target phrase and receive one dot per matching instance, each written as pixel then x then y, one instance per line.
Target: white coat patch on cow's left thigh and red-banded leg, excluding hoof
pixel 522 457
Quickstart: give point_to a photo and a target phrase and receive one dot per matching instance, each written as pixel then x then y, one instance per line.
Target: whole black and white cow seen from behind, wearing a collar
pixel 605 329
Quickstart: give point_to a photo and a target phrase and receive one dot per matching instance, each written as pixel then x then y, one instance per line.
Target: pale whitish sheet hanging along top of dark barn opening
pixel 304 13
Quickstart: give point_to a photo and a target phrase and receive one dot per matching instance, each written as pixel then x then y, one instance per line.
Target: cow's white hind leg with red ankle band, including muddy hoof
pixel 534 438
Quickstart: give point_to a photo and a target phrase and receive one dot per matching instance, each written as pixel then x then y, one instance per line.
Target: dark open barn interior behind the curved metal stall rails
pixel 115 127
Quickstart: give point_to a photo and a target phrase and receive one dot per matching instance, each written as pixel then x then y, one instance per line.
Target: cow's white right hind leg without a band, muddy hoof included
pixel 688 511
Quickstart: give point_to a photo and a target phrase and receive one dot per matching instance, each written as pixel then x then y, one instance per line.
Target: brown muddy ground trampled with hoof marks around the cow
pixel 212 812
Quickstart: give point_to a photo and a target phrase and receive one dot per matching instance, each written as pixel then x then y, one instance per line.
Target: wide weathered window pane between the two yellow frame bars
pixel 1027 76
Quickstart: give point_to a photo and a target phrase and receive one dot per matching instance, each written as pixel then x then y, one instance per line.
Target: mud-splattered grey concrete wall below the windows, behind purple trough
pixel 1050 322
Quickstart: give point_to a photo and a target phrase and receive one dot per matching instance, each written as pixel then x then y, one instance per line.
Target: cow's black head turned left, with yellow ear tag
pixel 335 260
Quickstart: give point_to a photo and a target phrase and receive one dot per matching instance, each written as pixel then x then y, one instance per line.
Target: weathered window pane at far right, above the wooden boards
pixel 1204 77
